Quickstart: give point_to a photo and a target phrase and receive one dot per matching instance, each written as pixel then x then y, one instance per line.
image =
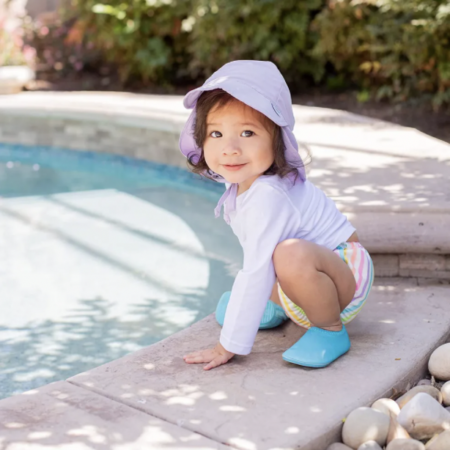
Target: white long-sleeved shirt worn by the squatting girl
pixel 271 211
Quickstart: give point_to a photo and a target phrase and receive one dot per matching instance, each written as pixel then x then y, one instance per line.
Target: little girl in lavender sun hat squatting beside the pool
pixel 299 250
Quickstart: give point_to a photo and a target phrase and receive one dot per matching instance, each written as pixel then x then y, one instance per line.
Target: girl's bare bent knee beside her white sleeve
pixel 290 255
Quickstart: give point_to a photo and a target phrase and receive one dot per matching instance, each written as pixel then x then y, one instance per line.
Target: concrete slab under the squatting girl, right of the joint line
pixel 262 402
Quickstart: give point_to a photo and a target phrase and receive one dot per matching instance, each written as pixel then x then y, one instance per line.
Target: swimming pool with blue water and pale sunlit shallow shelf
pixel 101 256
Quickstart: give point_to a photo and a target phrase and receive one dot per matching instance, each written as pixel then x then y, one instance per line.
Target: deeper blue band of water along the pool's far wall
pixel 42 171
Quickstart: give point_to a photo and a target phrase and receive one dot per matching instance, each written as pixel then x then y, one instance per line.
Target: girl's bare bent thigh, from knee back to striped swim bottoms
pixel 296 258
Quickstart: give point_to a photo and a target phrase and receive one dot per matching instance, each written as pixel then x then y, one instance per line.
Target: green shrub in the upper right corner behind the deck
pixel 396 49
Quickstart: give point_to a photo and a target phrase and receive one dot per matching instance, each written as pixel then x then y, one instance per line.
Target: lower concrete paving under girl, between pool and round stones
pixel 253 402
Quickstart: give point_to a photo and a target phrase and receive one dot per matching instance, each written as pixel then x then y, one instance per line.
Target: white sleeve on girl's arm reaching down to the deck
pixel 268 218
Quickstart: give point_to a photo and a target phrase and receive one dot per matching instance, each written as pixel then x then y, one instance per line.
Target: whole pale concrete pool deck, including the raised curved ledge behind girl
pixel 392 182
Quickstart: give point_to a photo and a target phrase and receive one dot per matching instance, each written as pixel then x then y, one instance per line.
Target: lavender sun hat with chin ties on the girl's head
pixel 260 85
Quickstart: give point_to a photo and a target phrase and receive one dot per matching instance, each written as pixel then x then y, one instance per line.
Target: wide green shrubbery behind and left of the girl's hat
pixel 166 41
